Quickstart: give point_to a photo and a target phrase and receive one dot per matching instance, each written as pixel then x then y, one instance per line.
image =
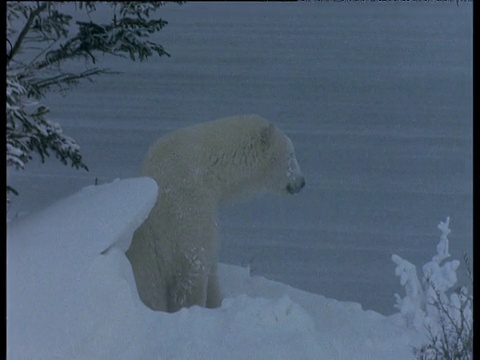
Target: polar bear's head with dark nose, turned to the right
pixel 283 174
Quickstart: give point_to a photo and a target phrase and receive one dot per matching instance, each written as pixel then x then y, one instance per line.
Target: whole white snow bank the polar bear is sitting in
pixel 71 295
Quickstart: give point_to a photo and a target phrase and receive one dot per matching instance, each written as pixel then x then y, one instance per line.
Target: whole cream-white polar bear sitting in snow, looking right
pixel 174 252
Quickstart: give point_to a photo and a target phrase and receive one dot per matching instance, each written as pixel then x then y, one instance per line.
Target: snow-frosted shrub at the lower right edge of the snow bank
pixel 431 307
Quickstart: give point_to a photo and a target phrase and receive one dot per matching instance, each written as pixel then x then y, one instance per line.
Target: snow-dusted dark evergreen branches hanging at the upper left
pixel 40 43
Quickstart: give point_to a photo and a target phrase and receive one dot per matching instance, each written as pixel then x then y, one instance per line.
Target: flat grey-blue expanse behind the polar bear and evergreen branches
pixel 376 97
